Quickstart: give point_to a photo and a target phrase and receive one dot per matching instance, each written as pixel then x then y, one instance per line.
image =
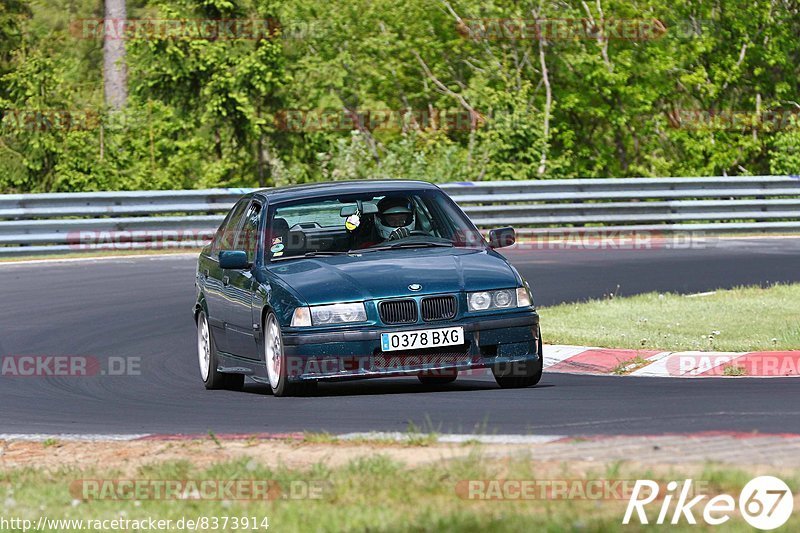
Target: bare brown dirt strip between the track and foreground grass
pixel 667 451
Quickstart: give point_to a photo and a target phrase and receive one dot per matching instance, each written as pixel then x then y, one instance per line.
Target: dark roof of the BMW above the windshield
pixel 312 190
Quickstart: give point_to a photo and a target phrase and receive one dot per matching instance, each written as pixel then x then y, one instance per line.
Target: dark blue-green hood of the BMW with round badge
pixel 388 274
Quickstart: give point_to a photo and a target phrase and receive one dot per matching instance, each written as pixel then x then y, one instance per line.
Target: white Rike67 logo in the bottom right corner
pixel 766 503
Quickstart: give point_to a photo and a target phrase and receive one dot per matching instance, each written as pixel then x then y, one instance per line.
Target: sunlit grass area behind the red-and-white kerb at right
pixel 741 319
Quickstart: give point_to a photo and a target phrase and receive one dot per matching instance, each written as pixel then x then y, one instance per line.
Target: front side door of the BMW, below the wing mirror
pixel 240 328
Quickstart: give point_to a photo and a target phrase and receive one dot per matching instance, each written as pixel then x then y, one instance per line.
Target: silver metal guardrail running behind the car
pixel 77 222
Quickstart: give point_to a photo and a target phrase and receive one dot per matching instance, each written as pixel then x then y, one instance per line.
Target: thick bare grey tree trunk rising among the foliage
pixel 115 76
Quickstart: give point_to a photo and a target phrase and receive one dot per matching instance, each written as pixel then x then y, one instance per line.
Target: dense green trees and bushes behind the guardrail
pixel 711 89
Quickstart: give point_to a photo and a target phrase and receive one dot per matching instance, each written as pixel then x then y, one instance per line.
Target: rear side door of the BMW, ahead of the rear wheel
pixel 215 277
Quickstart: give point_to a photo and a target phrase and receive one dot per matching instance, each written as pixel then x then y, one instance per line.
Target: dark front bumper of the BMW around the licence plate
pixel 507 343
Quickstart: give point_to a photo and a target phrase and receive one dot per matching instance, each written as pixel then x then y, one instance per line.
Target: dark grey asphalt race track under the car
pixel 127 308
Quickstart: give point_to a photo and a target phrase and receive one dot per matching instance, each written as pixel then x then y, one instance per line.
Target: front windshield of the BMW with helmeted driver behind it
pixel 367 223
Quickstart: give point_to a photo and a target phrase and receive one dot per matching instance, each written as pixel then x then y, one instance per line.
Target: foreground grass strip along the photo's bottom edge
pixel 372 493
